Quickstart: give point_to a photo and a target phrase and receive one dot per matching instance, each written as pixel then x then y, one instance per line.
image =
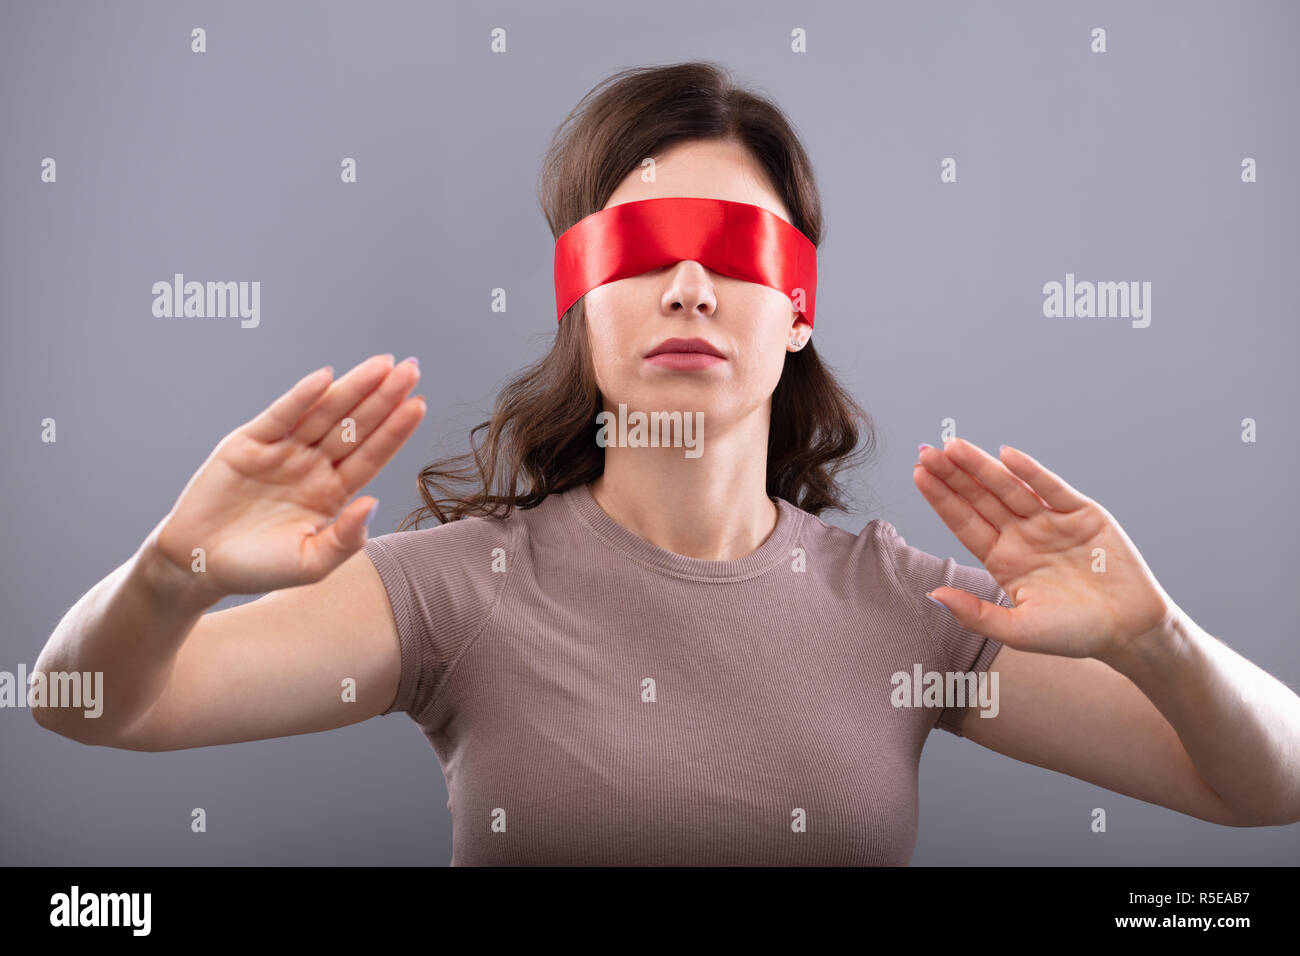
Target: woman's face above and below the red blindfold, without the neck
pixel 749 323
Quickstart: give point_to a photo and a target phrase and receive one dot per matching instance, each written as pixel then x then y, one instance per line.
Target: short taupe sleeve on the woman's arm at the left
pixel 444 585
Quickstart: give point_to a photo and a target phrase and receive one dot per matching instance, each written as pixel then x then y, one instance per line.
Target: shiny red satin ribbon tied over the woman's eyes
pixel 735 240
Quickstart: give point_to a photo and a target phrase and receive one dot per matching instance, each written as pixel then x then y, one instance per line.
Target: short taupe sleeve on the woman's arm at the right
pixel 965 652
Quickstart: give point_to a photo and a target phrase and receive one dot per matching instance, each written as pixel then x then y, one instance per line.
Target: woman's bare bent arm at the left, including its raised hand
pixel 268 512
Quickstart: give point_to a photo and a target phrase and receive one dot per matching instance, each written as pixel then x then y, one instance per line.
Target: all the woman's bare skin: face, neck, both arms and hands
pixel 1102 676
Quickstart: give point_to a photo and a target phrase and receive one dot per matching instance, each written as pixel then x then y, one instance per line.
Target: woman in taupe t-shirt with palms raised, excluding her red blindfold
pixel 629 655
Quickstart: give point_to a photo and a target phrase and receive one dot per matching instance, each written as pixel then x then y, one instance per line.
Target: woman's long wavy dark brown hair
pixel 541 438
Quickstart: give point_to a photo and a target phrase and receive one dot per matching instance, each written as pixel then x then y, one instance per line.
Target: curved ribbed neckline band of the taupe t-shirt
pixel 775 550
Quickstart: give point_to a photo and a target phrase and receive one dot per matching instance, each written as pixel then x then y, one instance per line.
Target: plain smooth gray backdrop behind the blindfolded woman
pixel 226 166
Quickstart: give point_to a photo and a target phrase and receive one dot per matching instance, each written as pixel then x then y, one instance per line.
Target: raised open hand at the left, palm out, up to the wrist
pixel 271 508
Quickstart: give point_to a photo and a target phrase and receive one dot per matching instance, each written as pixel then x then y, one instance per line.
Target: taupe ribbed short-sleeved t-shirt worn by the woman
pixel 597 700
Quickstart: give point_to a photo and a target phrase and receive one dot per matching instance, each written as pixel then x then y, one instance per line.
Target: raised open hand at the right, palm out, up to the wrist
pixel 1080 586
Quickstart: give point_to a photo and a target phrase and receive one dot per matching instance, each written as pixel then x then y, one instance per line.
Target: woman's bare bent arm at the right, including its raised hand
pixel 1103 677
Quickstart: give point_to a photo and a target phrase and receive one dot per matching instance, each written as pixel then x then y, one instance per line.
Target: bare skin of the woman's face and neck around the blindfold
pixel 713 507
